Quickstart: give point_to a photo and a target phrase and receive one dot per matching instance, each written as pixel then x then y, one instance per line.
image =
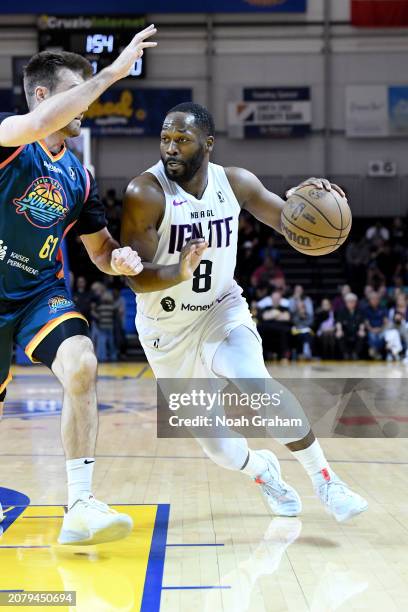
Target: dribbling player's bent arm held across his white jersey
pixel 143 210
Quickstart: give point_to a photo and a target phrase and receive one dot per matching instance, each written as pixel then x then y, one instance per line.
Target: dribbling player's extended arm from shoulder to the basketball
pixel 255 198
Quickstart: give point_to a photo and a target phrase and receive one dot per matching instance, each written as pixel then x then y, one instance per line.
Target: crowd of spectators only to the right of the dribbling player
pixel 367 319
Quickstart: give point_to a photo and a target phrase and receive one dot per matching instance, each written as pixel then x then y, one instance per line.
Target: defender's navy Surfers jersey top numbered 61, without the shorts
pixel 42 195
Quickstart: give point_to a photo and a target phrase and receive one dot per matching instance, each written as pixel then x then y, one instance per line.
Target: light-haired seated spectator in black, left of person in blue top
pixel 350 329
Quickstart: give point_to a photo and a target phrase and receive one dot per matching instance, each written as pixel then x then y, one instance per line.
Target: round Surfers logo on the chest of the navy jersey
pixel 44 203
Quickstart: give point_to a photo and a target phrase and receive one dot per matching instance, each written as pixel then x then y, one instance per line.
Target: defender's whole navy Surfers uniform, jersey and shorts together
pixel 42 195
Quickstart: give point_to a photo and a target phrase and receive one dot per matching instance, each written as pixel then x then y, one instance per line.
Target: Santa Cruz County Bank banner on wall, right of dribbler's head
pixel 271 112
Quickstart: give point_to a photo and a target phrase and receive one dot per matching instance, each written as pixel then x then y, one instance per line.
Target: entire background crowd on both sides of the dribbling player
pixel 368 318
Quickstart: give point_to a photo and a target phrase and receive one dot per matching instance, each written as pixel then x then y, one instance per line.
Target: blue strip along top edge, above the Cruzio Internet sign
pixel 117 7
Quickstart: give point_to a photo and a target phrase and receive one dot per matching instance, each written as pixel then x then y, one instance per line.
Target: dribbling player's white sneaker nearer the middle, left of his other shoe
pixel 281 498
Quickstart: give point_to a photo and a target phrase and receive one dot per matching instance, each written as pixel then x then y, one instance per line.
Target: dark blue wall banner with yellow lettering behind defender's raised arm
pixel 122 111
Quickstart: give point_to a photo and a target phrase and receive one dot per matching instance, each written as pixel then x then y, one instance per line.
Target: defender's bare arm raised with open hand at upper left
pixel 52 112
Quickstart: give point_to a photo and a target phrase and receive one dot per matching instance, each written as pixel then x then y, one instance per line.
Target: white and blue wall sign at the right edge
pixel 376 111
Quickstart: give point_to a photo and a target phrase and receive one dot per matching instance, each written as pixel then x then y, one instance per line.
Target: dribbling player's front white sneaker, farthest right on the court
pixel 338 499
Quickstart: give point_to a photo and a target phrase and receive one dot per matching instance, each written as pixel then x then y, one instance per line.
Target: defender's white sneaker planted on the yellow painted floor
pixel 93 522
